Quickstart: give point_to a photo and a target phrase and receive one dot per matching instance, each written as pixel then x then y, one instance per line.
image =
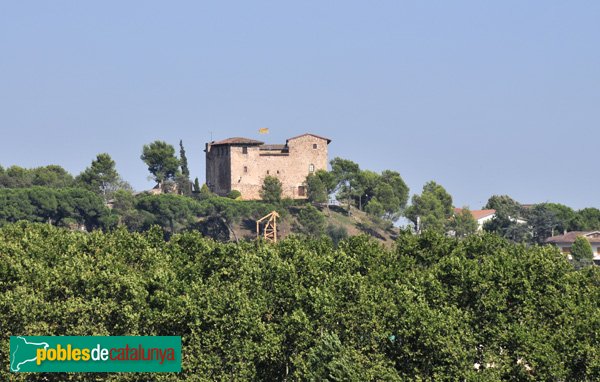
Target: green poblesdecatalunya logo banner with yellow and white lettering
pixel 95 354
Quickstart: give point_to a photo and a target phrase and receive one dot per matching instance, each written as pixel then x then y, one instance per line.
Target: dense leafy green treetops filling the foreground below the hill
pixel 433 308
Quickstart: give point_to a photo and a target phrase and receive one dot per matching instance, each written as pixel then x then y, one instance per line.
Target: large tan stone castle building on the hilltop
pixel 242 164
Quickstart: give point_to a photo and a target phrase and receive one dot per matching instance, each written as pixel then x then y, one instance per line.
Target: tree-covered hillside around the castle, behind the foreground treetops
pixel 366 201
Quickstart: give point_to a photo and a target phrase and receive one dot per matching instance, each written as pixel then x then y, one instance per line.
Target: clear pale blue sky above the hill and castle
pixel 482 97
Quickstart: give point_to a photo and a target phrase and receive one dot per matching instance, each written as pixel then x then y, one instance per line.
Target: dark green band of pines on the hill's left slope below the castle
pixel 79 208
